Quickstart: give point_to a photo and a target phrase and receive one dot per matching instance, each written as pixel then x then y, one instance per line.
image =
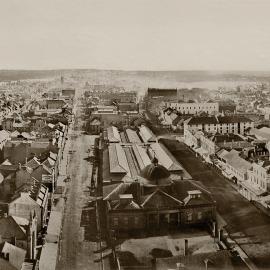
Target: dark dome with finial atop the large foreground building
pixel 156 174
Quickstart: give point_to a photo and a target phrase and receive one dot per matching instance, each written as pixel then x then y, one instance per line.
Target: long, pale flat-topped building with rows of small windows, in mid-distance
pixel 194 107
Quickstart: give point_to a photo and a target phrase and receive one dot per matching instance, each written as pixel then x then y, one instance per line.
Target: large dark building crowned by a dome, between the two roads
pixel 154 200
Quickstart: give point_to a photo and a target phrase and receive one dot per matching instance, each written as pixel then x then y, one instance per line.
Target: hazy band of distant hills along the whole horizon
pixel 141 80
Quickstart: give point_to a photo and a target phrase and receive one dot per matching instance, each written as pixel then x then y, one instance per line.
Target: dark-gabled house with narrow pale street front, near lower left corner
pixel 20 232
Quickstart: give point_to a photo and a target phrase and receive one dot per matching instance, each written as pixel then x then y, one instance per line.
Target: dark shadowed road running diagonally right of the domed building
pixel 246 224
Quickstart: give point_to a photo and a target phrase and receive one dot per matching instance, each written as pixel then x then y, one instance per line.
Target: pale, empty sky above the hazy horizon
pixel 135 34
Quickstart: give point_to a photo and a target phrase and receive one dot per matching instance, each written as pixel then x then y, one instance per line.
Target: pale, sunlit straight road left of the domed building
pixel 75 251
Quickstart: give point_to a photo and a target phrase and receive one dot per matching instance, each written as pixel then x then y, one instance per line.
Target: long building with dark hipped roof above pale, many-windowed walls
pixel 236 124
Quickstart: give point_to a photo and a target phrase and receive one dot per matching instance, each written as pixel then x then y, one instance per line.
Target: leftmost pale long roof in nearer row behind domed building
pixel 117 159
